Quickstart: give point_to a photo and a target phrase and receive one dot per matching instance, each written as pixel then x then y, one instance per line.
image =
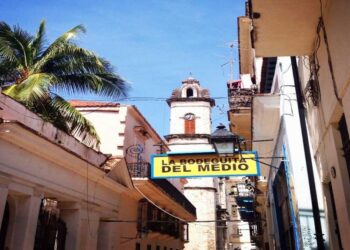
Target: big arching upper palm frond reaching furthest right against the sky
pixel 80 71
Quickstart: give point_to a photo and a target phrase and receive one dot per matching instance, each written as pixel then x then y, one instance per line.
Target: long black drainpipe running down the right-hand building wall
pixel 310 173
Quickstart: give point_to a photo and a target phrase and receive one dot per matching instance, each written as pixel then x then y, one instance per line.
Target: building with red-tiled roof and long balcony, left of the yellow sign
pixel 154 213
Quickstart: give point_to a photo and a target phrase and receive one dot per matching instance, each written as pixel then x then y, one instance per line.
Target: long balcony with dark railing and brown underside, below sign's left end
pixel 161 191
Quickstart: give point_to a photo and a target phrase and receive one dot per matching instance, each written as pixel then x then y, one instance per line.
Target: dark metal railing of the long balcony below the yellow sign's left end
pixel 143 170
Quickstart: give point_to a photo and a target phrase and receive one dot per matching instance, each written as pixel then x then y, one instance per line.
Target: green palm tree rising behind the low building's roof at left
pixel 32 73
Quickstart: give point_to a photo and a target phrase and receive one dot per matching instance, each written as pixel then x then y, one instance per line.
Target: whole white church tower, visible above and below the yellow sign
pixel 190 129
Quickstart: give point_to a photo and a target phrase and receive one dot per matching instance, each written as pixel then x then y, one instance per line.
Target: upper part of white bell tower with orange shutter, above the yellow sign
pixel 190 117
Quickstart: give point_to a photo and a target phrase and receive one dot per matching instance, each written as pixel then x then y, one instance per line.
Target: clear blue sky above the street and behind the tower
pixel 153 44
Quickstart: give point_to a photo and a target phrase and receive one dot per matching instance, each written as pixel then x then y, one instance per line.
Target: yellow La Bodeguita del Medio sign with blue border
pixel 204 165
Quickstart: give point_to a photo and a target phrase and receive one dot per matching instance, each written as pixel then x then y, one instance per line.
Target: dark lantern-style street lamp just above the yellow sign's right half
pixel 224 142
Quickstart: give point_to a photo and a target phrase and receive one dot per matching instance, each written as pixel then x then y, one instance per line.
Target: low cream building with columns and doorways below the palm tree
pixel 54 190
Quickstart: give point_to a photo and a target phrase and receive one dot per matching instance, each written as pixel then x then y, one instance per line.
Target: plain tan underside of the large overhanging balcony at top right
pixel 278 25
